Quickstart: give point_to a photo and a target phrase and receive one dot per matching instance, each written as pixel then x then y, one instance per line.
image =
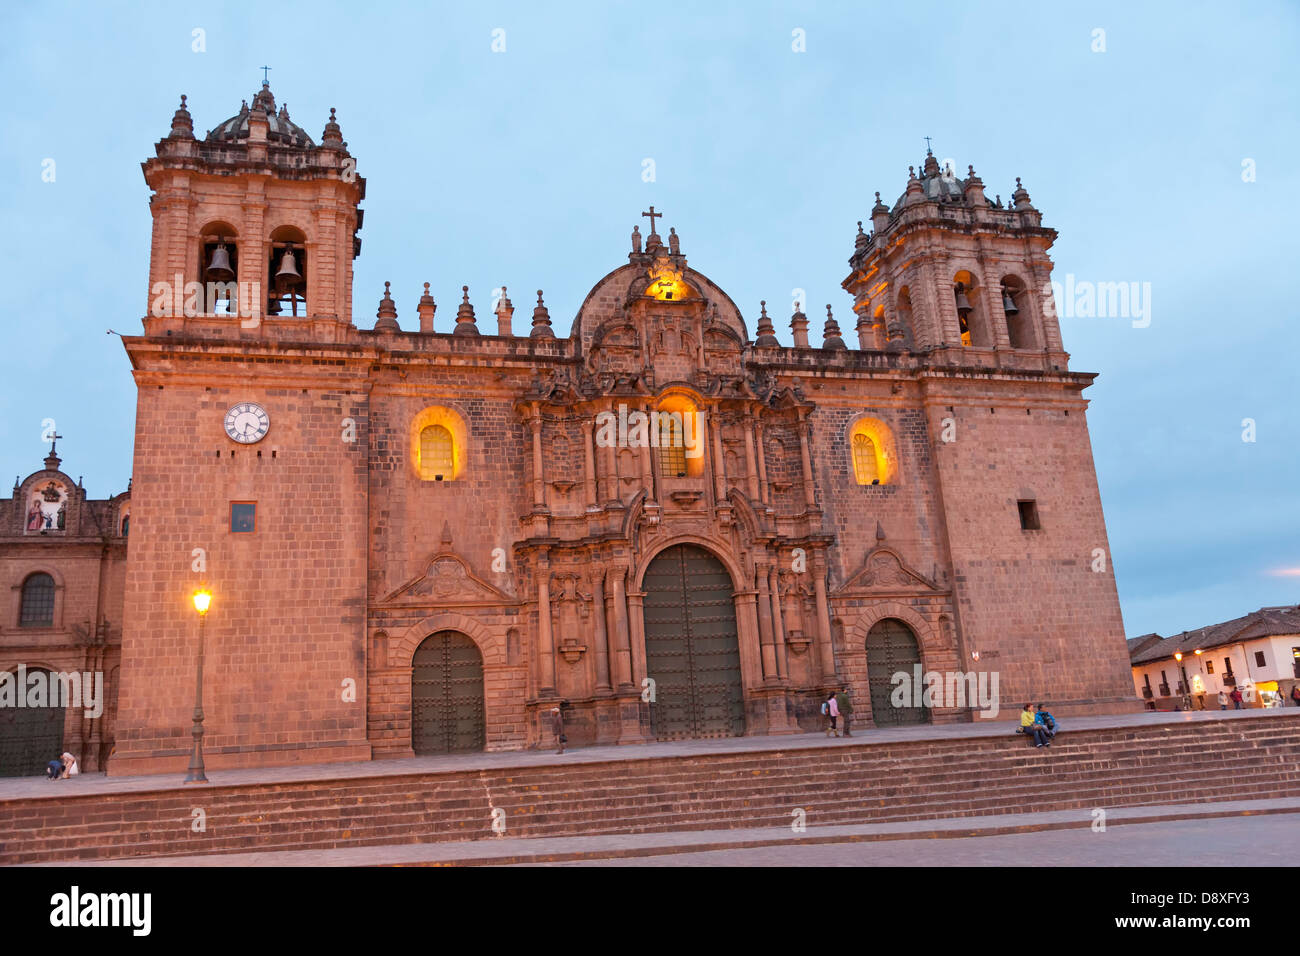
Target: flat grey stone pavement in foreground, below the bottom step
pixel 713 846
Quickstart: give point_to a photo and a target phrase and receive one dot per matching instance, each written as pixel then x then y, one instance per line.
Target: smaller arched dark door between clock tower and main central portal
pixel 448 695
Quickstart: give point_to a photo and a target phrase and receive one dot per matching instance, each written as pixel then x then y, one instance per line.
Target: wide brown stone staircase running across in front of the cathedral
pixel 844 782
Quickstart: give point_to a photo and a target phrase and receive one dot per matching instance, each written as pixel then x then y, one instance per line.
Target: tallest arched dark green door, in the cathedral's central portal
pixel 692 651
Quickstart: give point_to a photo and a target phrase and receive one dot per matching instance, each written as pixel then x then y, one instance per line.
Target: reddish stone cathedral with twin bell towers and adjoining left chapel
pixel 426 533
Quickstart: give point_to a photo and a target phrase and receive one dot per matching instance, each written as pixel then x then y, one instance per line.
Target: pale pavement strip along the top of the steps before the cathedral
pixel 29 788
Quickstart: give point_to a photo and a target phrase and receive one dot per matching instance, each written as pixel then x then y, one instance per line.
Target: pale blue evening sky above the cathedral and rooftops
pixel 526 168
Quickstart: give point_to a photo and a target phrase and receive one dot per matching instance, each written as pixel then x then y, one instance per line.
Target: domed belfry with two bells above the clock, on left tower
pixel 255 228
